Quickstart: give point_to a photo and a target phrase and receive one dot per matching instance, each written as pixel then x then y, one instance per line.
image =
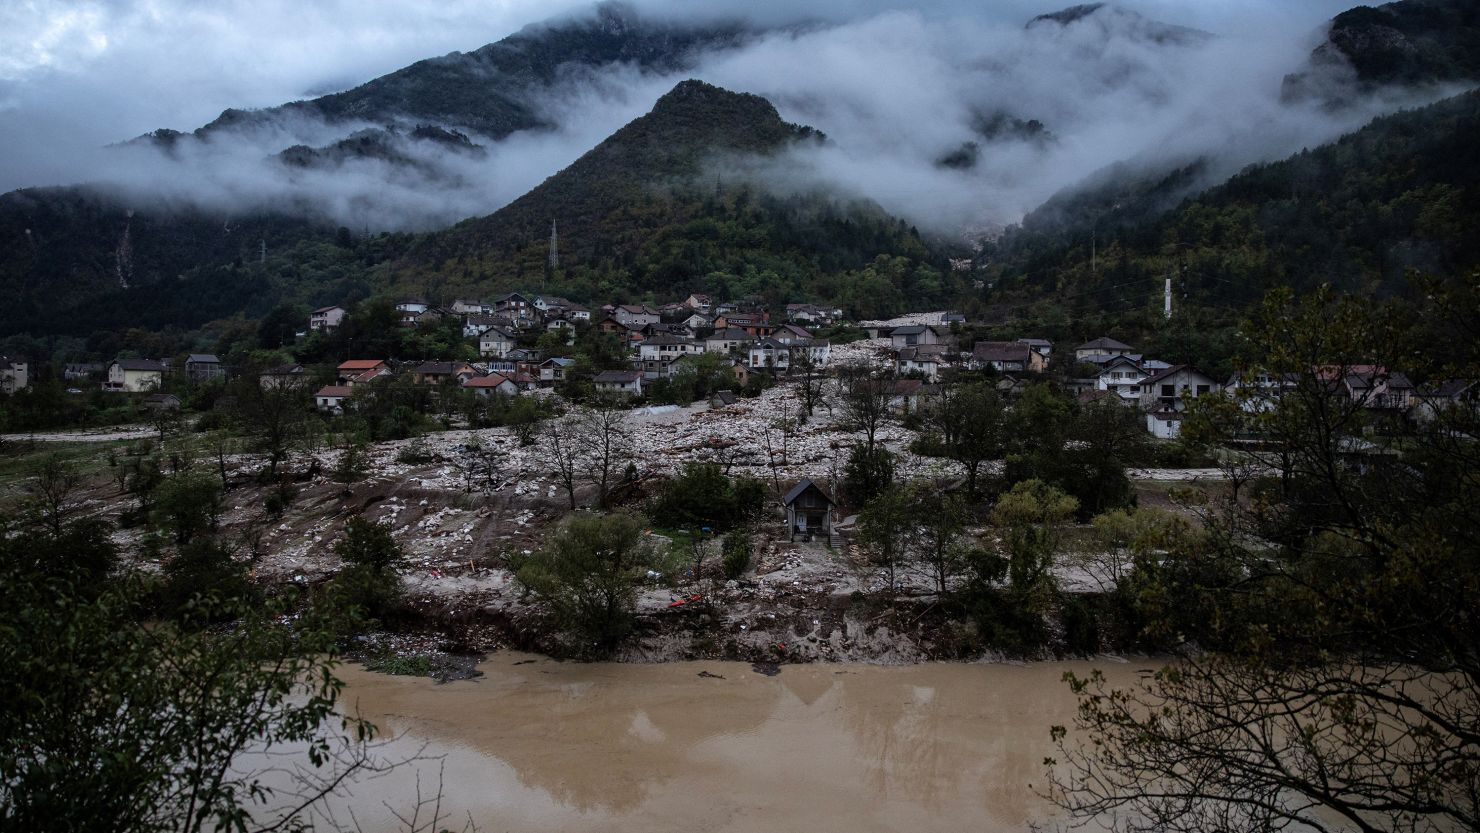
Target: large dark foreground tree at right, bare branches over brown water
pixel 1336 681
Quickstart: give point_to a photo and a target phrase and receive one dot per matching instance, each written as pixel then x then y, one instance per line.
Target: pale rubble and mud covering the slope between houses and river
pixel 458 527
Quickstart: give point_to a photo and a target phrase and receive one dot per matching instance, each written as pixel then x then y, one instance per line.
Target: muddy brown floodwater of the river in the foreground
pixel 538 745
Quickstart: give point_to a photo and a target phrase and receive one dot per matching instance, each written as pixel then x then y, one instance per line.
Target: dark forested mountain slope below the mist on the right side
pixel 1404 193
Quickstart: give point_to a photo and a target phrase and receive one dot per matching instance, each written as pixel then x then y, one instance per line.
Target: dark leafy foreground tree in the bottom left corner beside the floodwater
pixel 119 724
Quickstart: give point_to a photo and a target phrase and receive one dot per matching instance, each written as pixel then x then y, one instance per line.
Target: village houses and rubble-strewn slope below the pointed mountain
pixel 788 402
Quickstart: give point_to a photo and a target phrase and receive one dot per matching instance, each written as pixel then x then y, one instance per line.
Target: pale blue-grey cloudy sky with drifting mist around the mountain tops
pixel 893 84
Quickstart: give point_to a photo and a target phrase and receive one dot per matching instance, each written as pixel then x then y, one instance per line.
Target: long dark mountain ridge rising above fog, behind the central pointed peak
pixel 495 91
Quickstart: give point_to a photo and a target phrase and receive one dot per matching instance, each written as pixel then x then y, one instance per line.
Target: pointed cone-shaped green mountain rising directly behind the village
pixel 665 205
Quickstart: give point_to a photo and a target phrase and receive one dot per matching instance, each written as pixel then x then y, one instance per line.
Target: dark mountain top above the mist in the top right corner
pixel 1407 44
